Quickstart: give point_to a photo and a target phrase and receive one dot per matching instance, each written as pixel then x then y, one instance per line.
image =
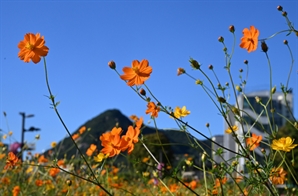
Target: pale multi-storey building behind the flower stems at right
pixel 256 121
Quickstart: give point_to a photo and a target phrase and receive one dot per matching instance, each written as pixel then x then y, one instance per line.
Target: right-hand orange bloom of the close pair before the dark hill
pixel 129 139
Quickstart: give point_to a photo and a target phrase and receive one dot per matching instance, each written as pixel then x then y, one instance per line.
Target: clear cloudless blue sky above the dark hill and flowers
pixel 84 35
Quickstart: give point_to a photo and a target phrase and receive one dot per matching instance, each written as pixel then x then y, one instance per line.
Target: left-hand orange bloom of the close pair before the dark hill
pixel 111 142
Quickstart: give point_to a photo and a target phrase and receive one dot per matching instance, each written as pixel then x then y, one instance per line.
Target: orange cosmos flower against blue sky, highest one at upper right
pixel 249 41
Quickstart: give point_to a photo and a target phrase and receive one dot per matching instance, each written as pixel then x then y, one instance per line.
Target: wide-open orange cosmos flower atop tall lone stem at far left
pixel 32 48
